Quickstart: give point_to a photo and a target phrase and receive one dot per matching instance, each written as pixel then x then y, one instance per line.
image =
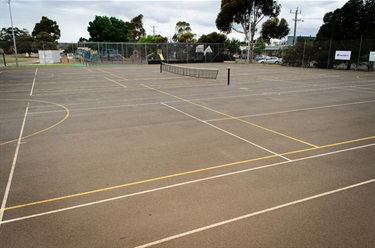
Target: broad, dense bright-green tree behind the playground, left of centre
pixel 109 29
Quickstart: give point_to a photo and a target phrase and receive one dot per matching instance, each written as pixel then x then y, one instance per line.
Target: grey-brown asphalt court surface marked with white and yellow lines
pixel 126 156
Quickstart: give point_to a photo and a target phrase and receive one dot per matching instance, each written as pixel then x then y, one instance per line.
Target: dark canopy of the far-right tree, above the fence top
pixel 355 19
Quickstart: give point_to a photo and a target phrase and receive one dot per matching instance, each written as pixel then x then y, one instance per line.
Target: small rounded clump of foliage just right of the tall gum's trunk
pixel 274 28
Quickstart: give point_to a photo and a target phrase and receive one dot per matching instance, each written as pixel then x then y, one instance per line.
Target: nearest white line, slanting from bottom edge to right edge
pixel 256 213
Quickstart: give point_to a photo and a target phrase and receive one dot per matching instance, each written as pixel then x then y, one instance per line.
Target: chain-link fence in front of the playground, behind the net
pixel 109 52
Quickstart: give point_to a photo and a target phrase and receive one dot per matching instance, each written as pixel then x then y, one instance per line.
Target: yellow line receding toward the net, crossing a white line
pixel 231 117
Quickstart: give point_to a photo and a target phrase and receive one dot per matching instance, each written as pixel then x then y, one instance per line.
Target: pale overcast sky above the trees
pixel 73 16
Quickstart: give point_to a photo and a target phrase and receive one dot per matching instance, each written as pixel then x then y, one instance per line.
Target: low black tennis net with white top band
pixel 190 71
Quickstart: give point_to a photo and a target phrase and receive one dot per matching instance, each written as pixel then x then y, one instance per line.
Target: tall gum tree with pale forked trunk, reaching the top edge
pixel 240 11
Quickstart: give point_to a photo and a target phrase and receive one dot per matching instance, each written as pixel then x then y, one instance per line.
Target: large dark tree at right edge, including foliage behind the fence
pixel 354 21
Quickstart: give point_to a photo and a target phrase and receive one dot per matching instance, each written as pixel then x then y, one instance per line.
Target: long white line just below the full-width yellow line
pixel 181 184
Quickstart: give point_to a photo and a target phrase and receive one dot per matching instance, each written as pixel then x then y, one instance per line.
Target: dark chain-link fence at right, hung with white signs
pixel 324 54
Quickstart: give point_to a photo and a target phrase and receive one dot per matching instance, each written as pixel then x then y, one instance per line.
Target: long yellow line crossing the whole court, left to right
pixel 180 174
